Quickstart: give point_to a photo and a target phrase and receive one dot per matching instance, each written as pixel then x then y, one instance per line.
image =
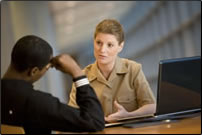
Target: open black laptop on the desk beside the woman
pixel 179 90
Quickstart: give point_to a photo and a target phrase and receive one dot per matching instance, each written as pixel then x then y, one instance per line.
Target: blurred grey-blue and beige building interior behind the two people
pixel 154 30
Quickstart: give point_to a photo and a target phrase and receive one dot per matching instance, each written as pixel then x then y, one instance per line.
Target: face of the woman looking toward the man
pixel 106 48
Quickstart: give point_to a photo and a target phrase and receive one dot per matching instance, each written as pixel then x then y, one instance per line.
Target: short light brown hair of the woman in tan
pixel 110 26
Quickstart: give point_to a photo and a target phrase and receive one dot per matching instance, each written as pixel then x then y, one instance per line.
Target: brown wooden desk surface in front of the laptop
pixel 182 126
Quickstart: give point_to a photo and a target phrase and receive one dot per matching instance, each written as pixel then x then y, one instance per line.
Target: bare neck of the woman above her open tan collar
pixel 106 69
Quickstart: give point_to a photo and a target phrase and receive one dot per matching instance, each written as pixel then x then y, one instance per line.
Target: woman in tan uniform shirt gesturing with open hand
pixel 120 84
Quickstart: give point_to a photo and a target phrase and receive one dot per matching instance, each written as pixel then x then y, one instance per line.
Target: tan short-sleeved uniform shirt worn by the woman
pixel 126 84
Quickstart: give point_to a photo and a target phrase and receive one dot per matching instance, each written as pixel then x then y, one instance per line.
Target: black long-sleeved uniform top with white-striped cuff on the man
pixel 40 112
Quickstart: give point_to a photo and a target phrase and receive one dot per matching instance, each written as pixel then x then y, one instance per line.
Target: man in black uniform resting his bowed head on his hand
pixel 40 112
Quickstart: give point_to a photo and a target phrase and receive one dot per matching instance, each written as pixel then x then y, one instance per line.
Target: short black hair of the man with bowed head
pixel 31 51
